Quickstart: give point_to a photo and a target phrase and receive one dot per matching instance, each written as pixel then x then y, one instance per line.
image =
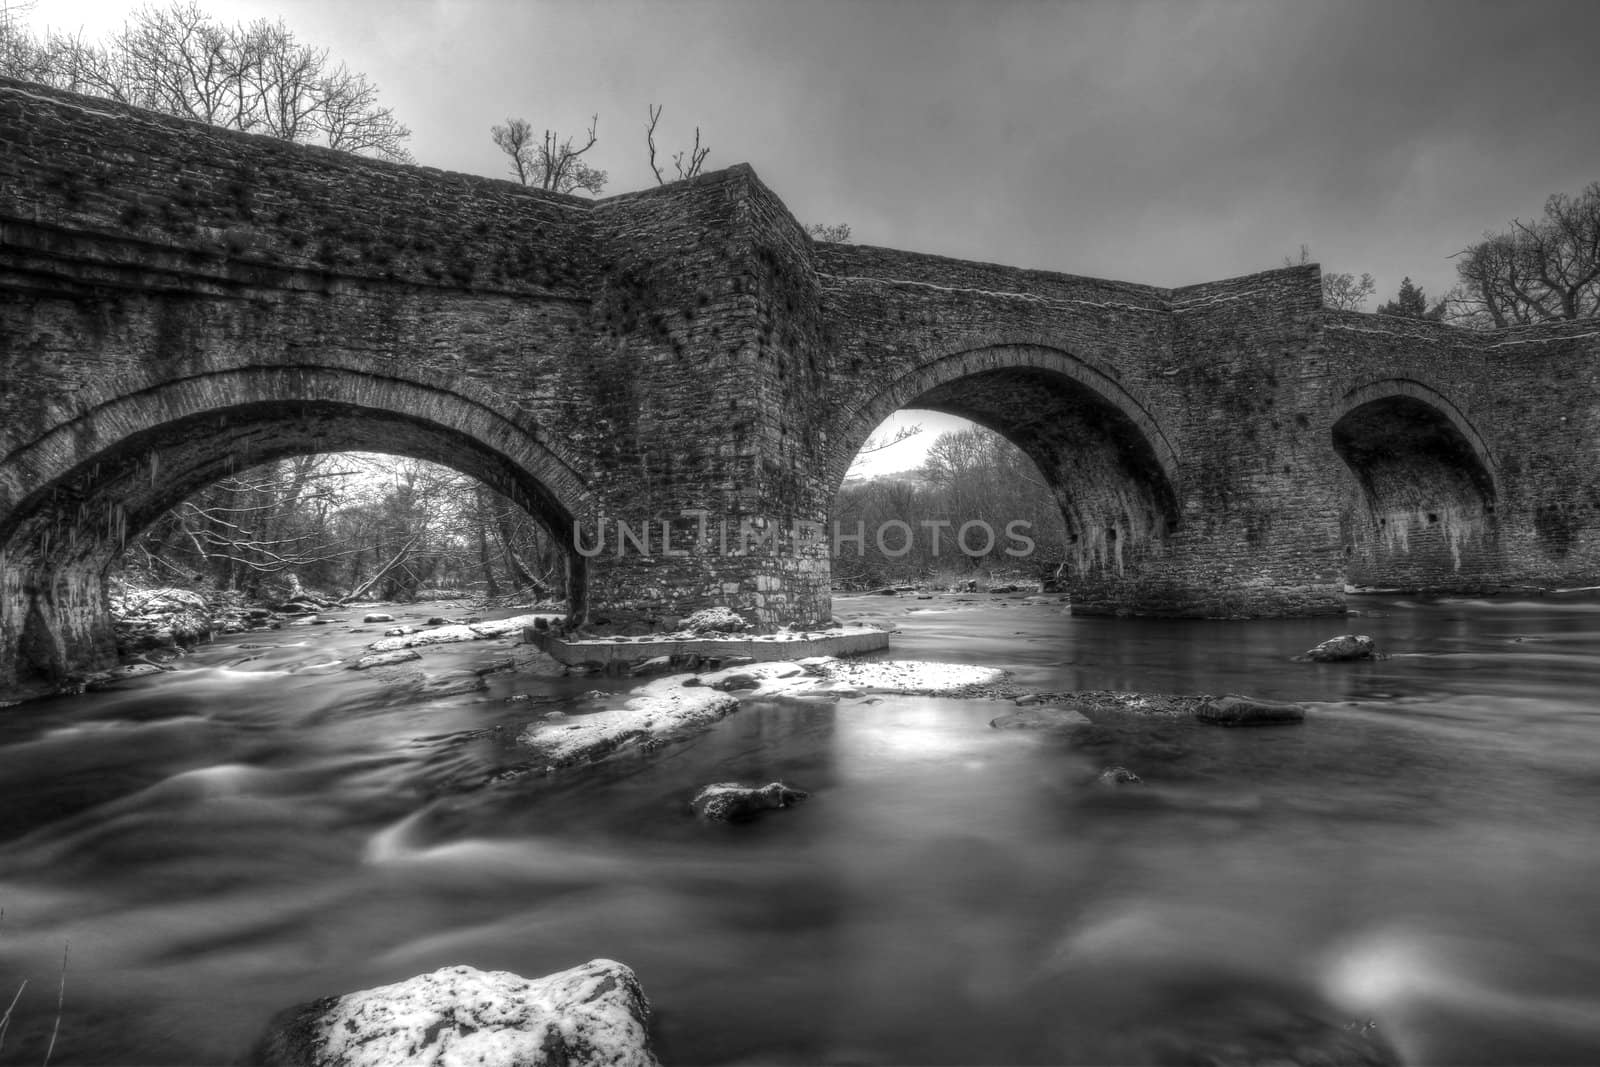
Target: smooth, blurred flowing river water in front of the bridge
pixel 263 828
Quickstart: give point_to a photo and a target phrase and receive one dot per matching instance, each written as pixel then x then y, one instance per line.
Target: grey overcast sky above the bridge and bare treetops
pixel 1164 143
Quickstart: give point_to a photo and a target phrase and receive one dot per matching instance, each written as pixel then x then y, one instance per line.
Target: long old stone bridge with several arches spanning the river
pixel 180 302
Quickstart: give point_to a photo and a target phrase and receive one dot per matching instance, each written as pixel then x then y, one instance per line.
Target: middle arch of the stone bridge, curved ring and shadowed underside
pixel 1103 454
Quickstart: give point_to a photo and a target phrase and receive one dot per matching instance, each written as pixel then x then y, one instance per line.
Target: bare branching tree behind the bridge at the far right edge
pixel 1542 271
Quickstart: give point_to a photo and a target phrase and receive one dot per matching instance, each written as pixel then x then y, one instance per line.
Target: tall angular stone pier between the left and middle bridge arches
pixel 698 324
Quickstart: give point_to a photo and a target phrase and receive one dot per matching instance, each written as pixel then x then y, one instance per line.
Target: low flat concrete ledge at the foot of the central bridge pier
pixel 630 650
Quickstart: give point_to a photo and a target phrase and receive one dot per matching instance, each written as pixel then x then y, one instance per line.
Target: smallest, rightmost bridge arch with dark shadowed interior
pixel 1423 513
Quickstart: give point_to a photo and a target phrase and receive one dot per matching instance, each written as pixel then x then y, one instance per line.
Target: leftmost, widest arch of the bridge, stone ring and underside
pixel 81 492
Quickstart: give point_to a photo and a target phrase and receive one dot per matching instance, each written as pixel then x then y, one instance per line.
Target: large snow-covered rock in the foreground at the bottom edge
pixel 596 1013
